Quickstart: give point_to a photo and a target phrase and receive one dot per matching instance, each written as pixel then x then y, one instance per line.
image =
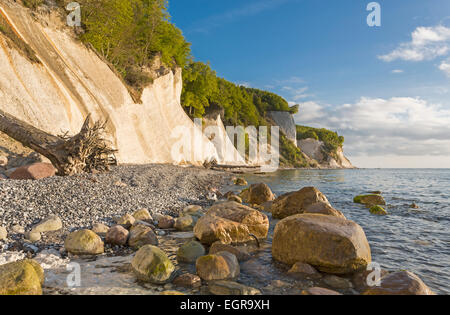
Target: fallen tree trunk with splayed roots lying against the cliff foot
pixel 85 152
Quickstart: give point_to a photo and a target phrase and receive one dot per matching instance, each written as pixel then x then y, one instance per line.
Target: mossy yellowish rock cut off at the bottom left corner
pixel 24 277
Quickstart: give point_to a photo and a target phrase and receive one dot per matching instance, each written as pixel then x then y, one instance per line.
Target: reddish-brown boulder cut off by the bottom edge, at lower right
pixel 400 283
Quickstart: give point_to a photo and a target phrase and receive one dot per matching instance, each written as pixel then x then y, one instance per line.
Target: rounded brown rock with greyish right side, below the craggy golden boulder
pixel 220 266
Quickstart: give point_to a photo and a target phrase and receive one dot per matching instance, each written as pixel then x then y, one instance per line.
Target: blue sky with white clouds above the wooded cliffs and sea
pixel 386 89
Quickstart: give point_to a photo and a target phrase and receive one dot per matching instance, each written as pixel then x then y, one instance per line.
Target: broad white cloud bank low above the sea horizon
pixel 402 126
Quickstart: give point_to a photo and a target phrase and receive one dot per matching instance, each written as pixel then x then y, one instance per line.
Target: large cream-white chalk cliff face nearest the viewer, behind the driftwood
pixel 71 81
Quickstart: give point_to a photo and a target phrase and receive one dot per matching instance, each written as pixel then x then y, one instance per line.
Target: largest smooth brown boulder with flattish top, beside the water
pixel 331 244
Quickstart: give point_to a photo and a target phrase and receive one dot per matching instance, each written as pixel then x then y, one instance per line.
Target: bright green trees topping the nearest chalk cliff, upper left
pixel 130 33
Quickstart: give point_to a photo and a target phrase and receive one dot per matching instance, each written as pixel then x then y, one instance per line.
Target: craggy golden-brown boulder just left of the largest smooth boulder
pixel 231 222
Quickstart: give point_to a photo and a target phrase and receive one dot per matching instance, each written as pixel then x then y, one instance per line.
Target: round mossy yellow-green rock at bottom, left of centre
pixel 151 264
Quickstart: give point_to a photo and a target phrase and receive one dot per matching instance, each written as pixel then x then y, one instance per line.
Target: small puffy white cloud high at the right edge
pixel 426 43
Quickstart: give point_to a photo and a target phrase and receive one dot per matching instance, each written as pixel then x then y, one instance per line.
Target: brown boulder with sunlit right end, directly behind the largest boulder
pixel 296 202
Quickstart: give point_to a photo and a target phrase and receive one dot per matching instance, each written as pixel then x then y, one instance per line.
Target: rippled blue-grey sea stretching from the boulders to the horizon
pixel 414 239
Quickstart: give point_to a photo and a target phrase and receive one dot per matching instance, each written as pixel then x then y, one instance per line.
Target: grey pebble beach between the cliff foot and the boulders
pixel 85 199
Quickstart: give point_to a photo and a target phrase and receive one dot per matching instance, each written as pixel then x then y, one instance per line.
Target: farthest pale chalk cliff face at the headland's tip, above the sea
pixel 315 150
